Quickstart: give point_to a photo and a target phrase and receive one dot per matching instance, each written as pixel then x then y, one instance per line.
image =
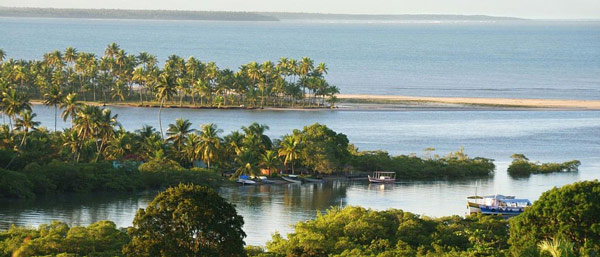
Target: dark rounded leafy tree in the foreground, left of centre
pixel 187 221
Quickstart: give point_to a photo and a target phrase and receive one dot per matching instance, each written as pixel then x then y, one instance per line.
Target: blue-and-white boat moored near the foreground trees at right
pixel 497 205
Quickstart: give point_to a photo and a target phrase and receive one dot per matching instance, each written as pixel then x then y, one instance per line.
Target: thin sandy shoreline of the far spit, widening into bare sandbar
pixel 353 102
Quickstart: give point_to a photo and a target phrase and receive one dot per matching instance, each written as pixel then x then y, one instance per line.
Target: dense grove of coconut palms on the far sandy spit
pixel 119 76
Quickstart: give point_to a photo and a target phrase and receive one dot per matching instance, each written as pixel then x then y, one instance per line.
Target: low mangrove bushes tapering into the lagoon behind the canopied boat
pixel 455 165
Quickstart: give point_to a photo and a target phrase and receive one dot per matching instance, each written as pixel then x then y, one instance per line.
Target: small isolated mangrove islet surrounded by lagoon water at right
pixel 521 166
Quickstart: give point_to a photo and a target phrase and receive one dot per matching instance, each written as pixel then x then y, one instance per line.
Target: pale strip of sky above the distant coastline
pixel 534 9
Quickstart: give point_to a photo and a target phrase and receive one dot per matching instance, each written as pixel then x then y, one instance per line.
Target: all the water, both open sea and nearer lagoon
pixel 527 59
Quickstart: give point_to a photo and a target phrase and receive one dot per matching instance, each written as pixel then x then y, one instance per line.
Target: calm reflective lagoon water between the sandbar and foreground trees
pixel 541 135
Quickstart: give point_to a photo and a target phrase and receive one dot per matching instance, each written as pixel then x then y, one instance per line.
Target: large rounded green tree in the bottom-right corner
pixel 567 213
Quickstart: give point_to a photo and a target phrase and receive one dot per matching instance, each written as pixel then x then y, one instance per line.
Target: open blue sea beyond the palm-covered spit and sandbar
pixel 530 59
